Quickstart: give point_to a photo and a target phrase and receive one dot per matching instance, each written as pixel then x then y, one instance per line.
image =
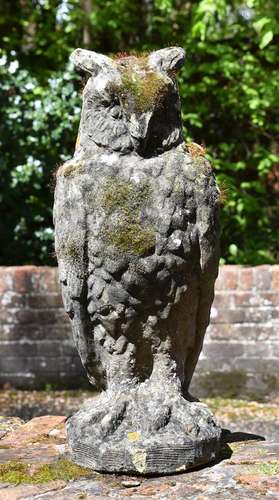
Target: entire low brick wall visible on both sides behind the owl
pixel 240 352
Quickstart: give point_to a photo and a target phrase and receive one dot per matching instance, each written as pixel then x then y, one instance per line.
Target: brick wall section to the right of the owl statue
pixel 241 348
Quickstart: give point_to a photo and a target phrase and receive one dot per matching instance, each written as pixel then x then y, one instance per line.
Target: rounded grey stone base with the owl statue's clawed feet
pixel 143 432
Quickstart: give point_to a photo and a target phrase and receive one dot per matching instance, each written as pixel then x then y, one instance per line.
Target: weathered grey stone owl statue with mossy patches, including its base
pixel 136 237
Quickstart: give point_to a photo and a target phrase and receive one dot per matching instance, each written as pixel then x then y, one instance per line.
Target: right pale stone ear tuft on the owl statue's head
pixel 167 60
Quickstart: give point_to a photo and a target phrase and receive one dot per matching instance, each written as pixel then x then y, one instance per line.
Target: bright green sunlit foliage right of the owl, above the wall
pixel 231 103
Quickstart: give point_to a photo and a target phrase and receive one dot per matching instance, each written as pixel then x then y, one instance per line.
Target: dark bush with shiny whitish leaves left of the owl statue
pixel 37 129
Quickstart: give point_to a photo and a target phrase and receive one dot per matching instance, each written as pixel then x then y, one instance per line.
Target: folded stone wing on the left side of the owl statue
pixel 71 250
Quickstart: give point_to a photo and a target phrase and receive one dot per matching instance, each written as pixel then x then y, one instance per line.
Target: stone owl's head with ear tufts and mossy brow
pixel 130 103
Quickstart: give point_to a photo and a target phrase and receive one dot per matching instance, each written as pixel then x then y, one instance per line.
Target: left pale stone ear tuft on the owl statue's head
pixel 90 61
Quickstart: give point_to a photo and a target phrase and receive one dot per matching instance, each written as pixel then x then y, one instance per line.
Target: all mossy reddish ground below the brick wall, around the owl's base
pixel 34 463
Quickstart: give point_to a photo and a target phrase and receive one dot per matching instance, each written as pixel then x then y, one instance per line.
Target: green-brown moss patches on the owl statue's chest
pixel 126 232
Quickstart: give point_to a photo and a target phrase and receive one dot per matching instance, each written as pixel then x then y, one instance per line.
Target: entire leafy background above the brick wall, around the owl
pixel 229 89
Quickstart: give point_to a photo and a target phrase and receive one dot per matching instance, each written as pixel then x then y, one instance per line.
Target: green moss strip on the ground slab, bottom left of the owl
pixel 17 472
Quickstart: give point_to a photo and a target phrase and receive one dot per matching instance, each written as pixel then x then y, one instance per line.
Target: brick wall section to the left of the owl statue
pixel 36 349
